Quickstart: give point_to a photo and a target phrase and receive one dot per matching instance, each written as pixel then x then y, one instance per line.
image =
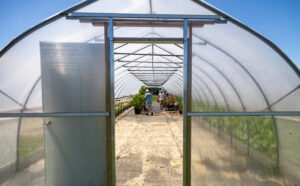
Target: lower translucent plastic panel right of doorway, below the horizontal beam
pixel 221 157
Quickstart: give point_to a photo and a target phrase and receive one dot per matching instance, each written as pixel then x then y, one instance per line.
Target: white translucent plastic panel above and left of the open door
pixel 20 66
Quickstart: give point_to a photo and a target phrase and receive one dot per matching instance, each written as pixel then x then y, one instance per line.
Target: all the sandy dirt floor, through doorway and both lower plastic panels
pixel 149 152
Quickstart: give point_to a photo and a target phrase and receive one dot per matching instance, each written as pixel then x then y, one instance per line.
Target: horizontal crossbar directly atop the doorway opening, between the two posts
pixel 148 40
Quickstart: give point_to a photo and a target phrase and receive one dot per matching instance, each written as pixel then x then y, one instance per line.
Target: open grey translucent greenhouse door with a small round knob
pixel 73 81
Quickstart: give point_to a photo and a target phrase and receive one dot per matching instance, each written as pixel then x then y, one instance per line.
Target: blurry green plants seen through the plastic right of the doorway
pixel 261 129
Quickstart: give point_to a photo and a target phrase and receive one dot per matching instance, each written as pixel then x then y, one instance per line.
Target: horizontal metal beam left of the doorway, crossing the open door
pixel 57 114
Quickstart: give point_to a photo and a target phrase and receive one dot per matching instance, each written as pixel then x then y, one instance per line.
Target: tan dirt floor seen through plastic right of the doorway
pixel 214 162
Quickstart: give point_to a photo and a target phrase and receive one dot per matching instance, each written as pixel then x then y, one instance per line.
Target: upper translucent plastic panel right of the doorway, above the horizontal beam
pixel 249 67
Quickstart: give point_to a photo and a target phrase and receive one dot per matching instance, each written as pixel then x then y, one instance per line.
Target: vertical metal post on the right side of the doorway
pixel 186 105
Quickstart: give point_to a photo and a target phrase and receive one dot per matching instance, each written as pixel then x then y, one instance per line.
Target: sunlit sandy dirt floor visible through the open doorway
pixel 149 148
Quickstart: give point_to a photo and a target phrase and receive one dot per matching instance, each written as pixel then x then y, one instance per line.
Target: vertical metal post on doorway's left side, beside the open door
pixel 112 100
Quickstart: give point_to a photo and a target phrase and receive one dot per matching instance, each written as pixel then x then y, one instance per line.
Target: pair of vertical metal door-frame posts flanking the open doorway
pixel 109 37
